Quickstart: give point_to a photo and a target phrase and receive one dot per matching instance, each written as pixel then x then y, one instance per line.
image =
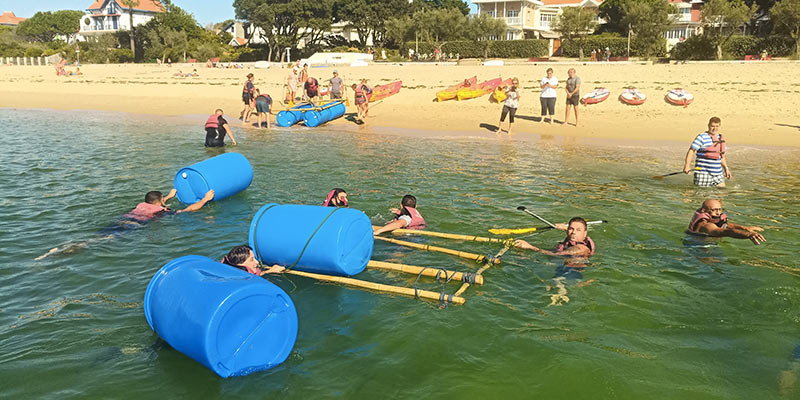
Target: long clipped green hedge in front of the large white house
pixel 497 48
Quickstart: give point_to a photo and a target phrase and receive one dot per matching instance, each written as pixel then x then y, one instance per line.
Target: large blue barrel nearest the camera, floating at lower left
pixel 231 321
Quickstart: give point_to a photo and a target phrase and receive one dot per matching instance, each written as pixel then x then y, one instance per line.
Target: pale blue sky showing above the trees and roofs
pixel 205 11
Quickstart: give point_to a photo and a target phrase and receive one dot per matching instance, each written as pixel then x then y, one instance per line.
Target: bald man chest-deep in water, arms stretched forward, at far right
pixel 710 220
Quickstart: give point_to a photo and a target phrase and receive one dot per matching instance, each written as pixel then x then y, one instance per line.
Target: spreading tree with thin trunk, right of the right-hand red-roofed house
pixel 722 18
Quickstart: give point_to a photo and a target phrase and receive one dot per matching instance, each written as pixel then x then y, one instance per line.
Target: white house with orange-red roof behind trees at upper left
pixel 111 15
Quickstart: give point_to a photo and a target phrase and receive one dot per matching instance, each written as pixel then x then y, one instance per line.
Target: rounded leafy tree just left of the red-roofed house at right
pixel 649 20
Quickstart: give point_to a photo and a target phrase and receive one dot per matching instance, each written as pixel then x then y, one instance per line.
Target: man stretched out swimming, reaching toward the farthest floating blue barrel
pixel 154 205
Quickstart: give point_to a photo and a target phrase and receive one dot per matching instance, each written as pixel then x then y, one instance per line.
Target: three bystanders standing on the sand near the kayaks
pixel 547 98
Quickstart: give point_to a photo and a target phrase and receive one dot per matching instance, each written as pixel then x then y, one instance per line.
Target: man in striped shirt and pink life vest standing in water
pixel 711 167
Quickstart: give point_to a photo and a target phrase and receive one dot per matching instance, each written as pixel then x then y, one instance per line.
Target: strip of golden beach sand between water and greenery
pixel 756 101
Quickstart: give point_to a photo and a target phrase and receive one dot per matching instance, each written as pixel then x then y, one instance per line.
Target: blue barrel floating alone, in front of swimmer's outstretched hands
pixel 227 174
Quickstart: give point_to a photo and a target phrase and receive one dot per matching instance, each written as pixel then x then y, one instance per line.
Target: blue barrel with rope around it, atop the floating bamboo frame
pixel 325 240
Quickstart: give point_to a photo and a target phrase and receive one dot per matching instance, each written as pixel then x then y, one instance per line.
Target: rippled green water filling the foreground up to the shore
pixel 654 316
